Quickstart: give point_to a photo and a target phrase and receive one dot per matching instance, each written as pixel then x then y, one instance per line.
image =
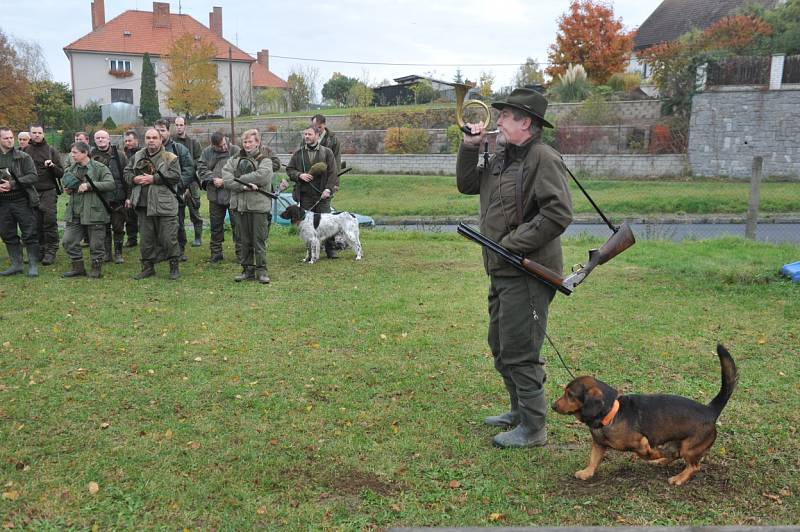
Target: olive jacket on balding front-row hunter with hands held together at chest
pixel 160 201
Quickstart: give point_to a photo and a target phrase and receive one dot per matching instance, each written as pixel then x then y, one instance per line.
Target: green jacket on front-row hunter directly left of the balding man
pixel 88 206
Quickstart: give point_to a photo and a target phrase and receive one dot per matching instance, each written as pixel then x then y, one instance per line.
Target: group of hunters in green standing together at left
pixel 145 191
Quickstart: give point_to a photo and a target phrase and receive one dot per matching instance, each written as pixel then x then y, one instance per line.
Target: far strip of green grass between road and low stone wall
pixel 402 195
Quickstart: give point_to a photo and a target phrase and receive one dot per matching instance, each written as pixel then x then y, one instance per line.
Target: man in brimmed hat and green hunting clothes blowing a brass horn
pixel 525 205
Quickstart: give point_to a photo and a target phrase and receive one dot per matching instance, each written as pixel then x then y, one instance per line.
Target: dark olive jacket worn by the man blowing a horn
pixel 545 197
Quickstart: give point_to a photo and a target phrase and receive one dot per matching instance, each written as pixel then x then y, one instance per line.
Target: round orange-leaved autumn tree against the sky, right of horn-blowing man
pixel 589 35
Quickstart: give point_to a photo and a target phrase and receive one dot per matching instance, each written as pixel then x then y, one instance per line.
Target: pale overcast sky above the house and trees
pixel 436 36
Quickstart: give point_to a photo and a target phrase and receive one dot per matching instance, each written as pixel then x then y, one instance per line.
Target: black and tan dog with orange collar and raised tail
pixel 660 428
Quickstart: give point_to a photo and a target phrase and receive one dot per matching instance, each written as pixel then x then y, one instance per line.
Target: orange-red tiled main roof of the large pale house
pixel 144 37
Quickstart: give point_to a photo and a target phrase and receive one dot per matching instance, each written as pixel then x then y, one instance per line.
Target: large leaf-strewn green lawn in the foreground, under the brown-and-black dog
pixel 348 395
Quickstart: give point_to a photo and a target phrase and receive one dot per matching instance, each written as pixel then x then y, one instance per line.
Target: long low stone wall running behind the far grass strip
pixel 627 166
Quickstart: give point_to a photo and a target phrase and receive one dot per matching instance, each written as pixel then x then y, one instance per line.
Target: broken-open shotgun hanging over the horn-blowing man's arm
pixel 621 240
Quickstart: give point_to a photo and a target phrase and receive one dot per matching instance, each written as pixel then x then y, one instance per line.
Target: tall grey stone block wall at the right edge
pixel 728 128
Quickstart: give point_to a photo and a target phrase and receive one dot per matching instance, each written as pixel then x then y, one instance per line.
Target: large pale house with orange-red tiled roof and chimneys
pixel 106 64
